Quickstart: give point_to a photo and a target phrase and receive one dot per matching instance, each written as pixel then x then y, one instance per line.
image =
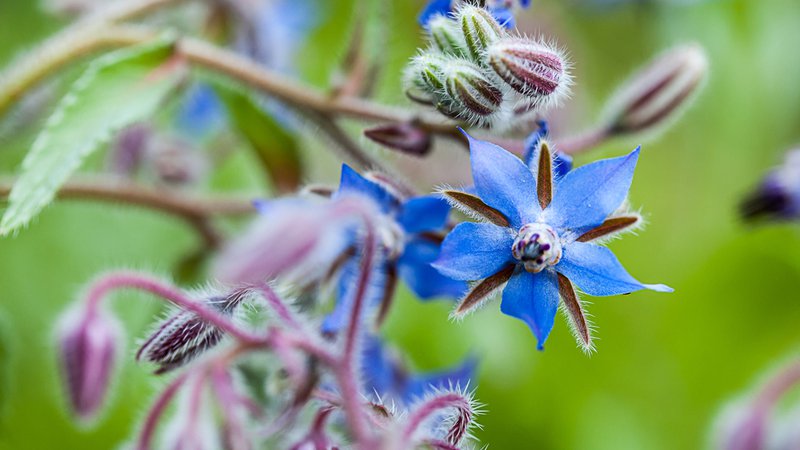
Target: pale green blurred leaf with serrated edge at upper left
pixel 117 89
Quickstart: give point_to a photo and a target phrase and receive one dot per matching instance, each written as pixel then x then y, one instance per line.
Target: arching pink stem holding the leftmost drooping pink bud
pixel 131 280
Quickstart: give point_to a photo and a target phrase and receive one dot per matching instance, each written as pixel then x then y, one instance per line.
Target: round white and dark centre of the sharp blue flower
pixel 537 246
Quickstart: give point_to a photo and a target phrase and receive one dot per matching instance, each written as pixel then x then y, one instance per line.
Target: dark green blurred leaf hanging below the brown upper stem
pixel 276 148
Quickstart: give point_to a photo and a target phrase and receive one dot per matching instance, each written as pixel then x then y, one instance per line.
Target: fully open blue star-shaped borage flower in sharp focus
pixel 537 236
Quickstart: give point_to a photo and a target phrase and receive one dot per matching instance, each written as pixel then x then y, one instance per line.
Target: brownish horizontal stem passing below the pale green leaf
pixel 194 210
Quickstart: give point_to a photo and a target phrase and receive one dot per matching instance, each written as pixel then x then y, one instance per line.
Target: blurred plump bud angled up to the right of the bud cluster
pixel 654 94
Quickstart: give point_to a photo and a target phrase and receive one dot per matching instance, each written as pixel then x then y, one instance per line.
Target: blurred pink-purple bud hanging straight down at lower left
pixel 88 340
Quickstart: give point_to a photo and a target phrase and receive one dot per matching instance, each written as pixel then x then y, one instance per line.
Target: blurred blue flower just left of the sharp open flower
pixel 409 228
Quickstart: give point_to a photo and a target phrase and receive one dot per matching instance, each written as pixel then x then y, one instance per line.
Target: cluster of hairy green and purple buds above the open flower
pixel 476 71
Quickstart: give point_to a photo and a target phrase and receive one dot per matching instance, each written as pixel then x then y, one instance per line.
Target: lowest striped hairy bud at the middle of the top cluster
pixel 471 95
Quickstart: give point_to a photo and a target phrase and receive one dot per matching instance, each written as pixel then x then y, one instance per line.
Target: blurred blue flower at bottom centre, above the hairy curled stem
pixel 385 375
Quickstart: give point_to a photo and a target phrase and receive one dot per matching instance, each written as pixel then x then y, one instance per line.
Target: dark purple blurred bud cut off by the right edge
pixel 778 196
